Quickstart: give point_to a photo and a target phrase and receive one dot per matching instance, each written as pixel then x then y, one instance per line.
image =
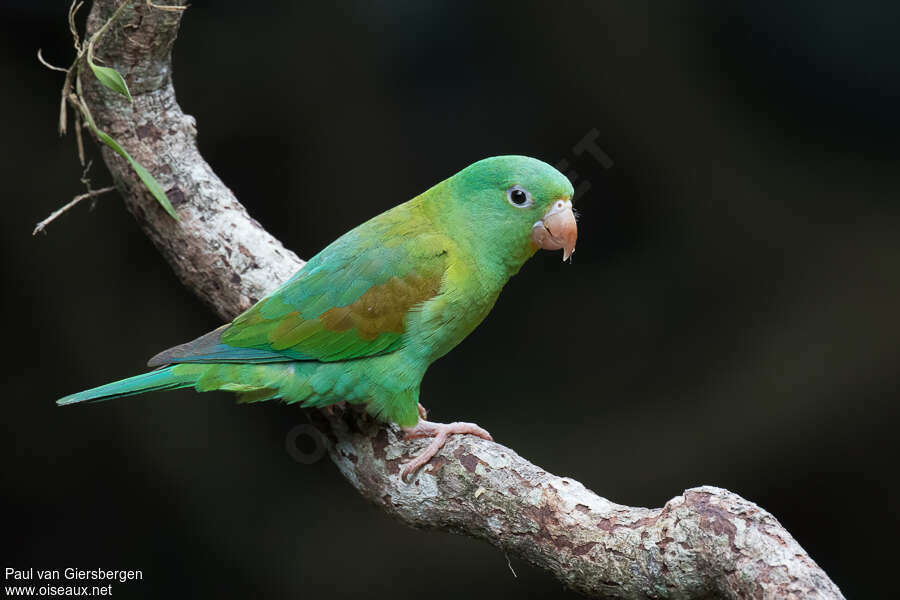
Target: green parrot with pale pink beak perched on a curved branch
pixel 362 321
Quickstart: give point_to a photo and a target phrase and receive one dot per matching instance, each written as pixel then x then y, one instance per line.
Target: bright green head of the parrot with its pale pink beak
pixel 514 205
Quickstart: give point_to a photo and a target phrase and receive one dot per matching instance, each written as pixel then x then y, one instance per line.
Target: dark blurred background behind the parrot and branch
pixel 732 310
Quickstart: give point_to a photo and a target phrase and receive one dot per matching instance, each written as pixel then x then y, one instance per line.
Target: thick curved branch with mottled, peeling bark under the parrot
pixel 705 543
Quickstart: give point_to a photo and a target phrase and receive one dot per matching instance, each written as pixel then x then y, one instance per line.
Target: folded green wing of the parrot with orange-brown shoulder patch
pixel 350 301
